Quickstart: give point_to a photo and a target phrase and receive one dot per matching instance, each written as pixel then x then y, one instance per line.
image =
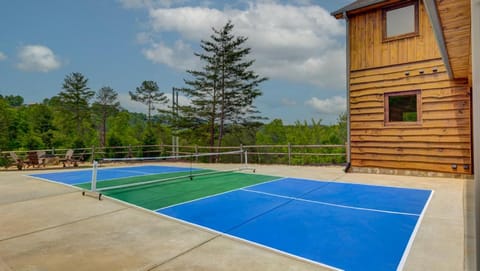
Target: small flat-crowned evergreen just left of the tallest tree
pixel 149 94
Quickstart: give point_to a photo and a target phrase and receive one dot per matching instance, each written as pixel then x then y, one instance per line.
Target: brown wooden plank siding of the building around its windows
pixel 443 137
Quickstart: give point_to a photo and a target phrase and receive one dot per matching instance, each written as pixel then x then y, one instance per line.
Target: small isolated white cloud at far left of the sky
pixel 37 58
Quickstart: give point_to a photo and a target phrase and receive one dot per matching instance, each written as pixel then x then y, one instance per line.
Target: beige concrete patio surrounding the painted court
pixel 48 226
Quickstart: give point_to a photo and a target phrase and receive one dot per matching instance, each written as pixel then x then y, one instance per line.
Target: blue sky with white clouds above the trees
pixel 297 44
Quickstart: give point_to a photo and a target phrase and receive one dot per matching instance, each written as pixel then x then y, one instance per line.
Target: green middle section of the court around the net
pixel 166 193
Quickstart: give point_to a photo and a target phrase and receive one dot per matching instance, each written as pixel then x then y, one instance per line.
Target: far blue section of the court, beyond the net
pixel 83 176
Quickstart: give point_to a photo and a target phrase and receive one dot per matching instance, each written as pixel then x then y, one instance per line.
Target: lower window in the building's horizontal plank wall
pixel 403 107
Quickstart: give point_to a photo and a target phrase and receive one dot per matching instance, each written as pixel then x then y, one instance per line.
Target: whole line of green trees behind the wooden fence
pixel 221 111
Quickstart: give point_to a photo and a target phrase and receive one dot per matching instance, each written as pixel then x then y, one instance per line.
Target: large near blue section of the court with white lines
pixel 339 225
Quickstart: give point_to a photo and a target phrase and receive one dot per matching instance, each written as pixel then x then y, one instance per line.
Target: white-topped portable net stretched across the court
pixel 152 178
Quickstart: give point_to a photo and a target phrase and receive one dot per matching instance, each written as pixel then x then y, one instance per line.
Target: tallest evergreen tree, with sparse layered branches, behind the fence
pixel 222 92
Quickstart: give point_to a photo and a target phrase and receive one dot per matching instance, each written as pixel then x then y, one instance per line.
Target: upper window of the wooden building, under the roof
pixel 400 21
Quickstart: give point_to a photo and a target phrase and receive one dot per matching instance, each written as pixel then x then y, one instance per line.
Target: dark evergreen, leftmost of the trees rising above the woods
pixel 75 99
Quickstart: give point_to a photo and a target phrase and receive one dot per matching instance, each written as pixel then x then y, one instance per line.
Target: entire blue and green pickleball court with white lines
pixel 339 225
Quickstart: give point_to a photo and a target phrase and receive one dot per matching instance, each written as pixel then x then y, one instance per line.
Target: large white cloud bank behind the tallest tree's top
pixel 296 43
